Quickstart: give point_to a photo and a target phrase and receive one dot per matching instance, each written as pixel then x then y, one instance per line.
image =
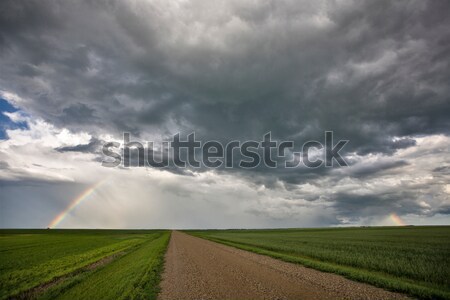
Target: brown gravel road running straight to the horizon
pixel 199 269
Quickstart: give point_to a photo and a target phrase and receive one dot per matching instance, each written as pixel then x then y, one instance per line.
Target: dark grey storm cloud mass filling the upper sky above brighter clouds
pixel 374 72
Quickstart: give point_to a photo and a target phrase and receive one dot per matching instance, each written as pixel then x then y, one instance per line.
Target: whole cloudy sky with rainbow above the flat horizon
pixel 77 74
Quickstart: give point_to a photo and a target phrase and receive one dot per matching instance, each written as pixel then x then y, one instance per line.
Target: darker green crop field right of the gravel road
pixel 413 260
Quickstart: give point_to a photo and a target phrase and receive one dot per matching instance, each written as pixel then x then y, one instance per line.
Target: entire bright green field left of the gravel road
pixel 82 264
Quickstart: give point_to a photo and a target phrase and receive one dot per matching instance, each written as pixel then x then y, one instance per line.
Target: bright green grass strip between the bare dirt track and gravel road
pixel 136 275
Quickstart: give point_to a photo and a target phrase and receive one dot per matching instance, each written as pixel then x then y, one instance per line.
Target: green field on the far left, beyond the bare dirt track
pixel 31 258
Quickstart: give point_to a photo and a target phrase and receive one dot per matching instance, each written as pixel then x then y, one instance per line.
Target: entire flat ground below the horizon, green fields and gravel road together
pixel 368 263
